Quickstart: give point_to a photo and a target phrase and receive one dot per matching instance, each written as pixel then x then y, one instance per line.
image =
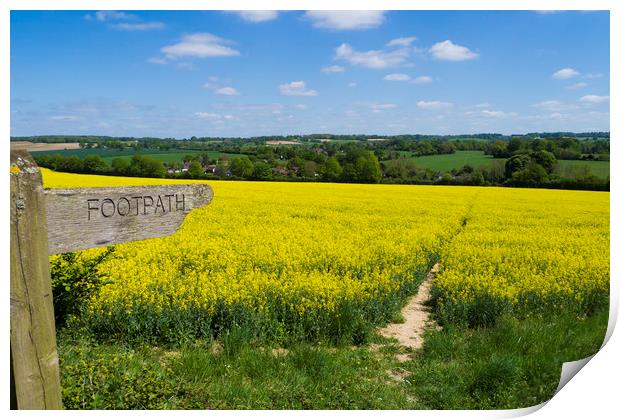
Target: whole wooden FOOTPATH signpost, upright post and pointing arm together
pixel 45 222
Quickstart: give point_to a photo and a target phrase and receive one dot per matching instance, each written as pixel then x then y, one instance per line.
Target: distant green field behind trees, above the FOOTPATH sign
pixel 108 155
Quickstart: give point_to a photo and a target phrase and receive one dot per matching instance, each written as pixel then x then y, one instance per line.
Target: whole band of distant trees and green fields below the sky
pixel 548 160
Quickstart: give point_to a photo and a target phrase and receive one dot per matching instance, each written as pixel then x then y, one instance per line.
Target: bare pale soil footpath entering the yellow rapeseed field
pixel 416 315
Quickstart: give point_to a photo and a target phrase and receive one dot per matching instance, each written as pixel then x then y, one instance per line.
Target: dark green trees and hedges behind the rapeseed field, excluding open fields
pixel 524 162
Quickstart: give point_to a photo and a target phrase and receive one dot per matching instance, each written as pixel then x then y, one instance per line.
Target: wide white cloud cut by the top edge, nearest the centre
pixel 345 19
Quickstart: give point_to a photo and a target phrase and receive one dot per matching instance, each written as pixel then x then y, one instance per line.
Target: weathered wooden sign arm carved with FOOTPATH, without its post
pixel 83 218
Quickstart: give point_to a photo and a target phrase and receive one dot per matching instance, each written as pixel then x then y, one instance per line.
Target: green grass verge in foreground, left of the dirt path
pixel 228 374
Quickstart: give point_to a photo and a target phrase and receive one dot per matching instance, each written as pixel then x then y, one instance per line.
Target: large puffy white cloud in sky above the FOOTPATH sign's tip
pixel 199 45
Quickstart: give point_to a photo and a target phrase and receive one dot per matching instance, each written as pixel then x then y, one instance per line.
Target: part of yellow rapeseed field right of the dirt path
pixel 529 249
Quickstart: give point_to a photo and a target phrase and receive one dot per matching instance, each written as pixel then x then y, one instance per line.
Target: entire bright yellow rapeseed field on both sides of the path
pixel 316 257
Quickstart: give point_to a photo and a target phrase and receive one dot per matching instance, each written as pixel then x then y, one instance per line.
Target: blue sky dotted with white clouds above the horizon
pixel 182 74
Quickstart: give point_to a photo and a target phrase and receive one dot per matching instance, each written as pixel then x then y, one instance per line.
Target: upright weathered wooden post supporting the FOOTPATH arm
pixel 34 359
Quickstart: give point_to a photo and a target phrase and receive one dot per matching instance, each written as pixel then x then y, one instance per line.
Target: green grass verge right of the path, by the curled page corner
pixel 515 364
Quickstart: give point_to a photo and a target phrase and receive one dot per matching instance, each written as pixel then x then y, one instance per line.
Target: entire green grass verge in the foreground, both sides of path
pixel 515 364
